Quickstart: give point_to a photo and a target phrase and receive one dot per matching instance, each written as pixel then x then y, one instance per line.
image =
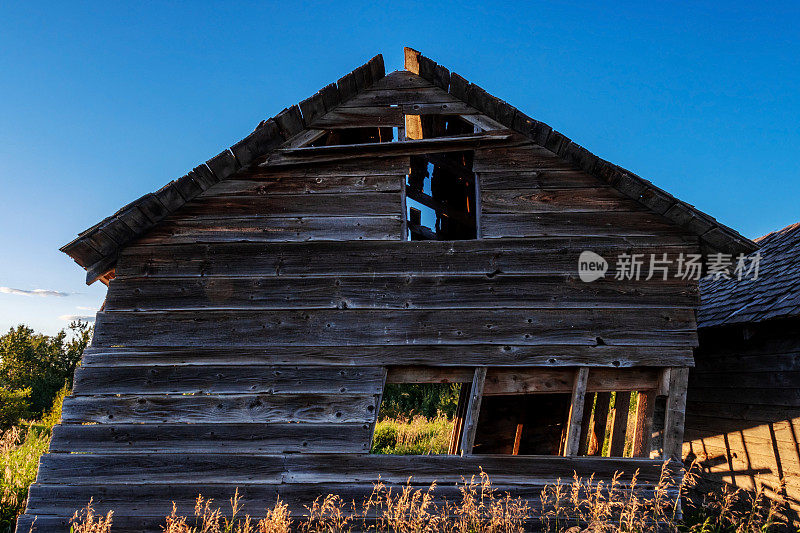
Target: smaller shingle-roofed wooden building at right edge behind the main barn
pixel 743 411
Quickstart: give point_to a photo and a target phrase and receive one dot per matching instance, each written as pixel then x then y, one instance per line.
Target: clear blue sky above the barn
pixel 101 104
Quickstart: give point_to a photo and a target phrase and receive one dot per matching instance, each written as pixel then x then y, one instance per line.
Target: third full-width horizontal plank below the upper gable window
pixel 330 327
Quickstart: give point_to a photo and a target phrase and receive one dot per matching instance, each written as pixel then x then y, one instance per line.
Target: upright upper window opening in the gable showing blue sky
pixel 441 197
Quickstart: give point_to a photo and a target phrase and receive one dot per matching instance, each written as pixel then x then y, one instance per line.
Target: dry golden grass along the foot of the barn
pixel 580 505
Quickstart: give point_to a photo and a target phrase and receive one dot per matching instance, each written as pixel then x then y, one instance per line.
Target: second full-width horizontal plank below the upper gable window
pixel 395 292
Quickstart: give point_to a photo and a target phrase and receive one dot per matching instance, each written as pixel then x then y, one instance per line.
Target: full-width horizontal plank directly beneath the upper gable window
pixel 547 255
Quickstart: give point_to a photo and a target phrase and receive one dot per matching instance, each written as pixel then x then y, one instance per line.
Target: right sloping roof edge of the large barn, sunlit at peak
pixel 713 233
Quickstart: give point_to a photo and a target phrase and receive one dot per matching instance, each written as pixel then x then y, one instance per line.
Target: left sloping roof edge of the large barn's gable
pixel 96 249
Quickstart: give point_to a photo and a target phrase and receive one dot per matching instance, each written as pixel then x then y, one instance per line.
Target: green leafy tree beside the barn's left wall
pixel 35 367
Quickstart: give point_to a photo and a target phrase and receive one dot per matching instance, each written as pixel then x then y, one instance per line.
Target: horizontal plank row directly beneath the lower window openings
pixel 91 469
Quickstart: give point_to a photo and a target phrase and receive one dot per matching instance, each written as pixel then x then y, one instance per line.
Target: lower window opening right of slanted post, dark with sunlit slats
pixel 529 411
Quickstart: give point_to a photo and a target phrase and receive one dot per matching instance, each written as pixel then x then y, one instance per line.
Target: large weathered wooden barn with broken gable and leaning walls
pixel 392 228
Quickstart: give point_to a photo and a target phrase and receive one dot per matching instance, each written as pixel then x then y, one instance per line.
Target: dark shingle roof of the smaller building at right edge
pixel 774 294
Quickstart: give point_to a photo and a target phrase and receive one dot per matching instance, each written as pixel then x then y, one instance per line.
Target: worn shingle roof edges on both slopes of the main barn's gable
pixel 97 248
